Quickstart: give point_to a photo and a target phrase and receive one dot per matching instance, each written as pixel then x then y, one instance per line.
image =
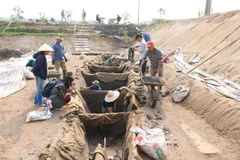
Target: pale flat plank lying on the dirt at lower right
pixel 203 146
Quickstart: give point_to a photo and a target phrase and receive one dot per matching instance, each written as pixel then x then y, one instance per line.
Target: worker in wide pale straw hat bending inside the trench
pixel 109 102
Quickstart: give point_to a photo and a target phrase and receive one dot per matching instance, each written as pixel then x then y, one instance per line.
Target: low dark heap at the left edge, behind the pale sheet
pixel 8 53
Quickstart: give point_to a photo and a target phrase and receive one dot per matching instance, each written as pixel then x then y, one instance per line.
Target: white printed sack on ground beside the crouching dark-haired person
pixel 40 115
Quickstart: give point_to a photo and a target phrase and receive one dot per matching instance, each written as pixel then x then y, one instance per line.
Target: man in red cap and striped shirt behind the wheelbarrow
pixel 155 56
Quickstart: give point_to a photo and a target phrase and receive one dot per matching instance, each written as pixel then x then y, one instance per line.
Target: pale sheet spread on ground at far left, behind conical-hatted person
pixel 12 75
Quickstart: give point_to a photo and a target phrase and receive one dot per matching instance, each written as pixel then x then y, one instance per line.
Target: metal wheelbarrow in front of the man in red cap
pixel 153 82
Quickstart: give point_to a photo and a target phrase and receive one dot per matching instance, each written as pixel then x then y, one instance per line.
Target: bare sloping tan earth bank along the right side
pixel 206 36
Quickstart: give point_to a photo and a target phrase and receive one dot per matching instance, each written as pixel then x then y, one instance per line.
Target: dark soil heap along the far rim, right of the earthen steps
pixel 113 30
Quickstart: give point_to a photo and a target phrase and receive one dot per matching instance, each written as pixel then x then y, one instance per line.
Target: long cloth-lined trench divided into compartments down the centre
pixel 85 126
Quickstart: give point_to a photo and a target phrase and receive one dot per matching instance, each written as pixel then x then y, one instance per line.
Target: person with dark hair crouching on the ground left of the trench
pixel 60 93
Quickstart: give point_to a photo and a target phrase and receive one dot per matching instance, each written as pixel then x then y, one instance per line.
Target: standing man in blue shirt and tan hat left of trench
pixel 58 57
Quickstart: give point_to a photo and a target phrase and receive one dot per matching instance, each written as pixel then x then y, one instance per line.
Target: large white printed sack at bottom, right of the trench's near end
pixel 152 142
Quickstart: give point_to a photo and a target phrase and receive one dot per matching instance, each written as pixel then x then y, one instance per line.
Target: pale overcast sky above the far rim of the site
pixel 175 9
